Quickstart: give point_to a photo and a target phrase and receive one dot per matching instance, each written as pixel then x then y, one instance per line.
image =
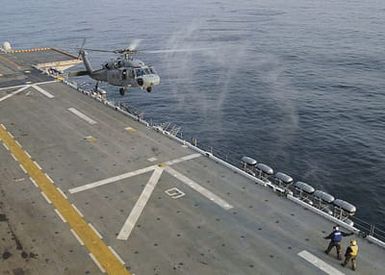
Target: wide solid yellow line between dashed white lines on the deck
pixel 110 263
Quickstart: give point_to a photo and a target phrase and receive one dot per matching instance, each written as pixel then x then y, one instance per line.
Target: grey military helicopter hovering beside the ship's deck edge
pixel 125 71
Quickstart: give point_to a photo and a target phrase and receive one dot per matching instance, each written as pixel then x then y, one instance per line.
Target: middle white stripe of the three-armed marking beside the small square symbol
pixel 140 204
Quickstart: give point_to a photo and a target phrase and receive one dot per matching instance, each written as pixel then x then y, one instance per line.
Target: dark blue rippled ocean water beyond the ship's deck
pixel 296 84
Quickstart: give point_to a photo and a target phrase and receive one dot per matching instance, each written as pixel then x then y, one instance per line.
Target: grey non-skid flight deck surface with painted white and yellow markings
pixel 158 207
